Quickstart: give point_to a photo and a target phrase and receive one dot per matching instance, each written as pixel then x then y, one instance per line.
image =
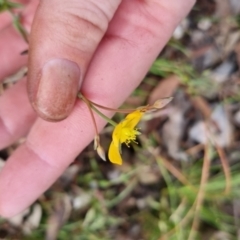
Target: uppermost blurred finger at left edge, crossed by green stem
pixel 12 44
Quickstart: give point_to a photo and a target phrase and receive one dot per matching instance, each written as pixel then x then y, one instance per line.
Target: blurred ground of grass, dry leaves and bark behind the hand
pixel 181 181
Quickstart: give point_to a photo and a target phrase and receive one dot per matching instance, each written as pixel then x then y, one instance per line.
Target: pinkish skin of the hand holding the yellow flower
pixel 110 60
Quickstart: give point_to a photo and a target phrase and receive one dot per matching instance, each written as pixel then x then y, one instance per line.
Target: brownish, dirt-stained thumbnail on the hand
pixel 57 89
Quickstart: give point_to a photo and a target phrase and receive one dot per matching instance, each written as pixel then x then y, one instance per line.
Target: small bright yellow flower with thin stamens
pixel 126 132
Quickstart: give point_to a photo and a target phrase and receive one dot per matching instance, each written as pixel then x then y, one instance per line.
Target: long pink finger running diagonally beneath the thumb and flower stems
pixel 118 66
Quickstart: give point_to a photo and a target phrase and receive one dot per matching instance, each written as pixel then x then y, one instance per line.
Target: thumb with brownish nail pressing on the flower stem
pixel 63 39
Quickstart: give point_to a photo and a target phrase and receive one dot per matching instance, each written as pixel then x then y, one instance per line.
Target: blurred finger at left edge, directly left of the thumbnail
pixel 16 114
